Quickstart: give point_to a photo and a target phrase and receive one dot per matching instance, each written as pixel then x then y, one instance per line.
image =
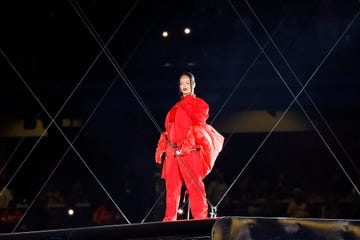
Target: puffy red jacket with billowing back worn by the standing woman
pixel 187 130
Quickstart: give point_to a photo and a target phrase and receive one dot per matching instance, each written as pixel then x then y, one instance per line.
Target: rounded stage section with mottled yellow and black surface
pixel 256 228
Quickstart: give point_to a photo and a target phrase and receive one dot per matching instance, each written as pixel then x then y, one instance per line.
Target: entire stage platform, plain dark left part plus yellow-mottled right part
pixel 222 228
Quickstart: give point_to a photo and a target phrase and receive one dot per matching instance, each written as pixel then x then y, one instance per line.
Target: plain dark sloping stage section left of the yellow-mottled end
pixel 182 229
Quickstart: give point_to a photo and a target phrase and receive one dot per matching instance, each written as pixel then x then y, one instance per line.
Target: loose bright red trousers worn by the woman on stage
pixel 195 187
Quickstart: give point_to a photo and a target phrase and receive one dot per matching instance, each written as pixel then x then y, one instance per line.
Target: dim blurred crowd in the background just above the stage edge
pixel 248 196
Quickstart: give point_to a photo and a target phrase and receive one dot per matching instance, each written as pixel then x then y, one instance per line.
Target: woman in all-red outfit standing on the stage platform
pixel 188 149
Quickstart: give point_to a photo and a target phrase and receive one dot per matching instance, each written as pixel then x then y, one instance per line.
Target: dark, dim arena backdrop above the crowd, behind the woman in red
pixel 48 54
